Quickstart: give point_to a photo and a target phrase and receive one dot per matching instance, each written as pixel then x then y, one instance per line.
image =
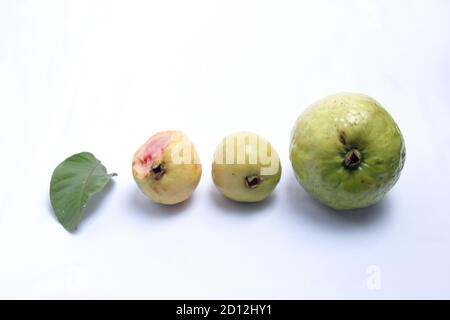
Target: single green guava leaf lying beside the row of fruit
pixel 73 182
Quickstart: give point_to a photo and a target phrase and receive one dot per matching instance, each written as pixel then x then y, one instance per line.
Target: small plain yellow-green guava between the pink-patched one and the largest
pixel 246 168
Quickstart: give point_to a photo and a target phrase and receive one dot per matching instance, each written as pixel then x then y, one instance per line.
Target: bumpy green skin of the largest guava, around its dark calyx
pixel 327 131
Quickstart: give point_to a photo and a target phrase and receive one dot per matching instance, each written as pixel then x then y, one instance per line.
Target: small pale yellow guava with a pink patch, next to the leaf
pixel 167 168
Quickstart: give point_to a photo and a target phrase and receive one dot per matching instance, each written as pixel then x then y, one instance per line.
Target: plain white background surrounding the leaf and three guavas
pixel 103 76
